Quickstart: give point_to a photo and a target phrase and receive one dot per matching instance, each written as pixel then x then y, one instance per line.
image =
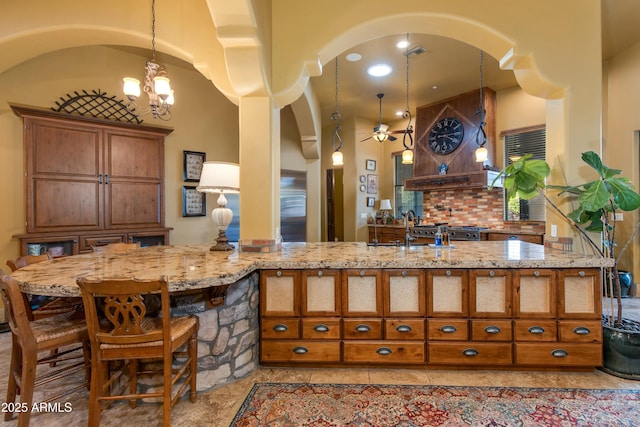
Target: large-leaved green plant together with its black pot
pixel 598 201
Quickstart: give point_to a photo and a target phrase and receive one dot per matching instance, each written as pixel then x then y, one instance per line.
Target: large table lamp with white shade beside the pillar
pixel 220 177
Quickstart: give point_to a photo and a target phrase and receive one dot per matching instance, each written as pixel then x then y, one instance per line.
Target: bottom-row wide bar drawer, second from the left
pixel 402 352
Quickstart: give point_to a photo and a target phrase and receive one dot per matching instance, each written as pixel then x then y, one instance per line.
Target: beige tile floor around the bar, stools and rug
pixel 218 406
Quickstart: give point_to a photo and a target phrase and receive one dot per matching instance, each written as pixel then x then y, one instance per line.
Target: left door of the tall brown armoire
pixel 63 176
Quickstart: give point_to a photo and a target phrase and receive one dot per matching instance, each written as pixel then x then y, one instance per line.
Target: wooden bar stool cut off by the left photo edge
pixel 29 338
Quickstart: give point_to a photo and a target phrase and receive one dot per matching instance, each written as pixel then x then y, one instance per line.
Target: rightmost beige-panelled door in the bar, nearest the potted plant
pixel 579 294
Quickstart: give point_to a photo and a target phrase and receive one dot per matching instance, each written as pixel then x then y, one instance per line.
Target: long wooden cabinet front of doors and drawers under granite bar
pixel 529 318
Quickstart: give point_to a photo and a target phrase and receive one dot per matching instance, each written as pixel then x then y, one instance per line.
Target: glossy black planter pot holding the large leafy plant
pixel 621 352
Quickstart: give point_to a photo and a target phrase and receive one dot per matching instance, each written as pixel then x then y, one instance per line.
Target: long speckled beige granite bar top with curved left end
pixel 195 266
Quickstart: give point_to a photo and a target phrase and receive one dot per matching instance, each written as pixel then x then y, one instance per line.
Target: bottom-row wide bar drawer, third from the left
pixel 469 353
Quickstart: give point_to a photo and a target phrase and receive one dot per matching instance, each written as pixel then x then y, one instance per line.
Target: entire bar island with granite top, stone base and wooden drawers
pixel 479 305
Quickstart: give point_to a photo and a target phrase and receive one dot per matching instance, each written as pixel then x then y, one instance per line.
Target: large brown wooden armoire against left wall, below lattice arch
pixel 94 178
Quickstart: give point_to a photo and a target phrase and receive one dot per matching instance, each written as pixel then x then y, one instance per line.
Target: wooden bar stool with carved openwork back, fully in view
pixel 127 334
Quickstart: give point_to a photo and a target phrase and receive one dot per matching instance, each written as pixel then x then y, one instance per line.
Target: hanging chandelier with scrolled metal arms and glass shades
pixel 156 83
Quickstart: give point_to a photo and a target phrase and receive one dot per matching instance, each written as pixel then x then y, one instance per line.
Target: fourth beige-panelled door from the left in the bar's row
pixel 404 293
